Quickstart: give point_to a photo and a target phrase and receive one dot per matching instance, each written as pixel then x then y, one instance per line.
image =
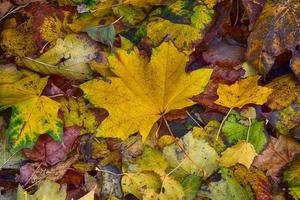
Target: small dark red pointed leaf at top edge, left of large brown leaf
pixel 253 9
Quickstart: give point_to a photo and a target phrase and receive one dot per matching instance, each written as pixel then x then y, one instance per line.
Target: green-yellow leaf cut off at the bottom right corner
pixel 291 177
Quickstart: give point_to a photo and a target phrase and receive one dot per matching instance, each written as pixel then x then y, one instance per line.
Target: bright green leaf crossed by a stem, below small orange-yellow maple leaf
pixel 236 128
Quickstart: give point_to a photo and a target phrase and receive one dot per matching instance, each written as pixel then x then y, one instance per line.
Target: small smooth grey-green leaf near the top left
pixel 103 34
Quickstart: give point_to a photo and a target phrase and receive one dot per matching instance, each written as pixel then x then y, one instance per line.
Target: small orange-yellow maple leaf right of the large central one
pixel 242 92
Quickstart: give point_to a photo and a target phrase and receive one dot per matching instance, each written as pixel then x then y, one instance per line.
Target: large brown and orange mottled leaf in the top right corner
pixel 275 32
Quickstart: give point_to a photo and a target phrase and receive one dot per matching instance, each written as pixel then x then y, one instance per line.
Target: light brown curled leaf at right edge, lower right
pixel 278 153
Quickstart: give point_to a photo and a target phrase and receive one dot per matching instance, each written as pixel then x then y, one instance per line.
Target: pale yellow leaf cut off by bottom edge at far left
pixel 49 190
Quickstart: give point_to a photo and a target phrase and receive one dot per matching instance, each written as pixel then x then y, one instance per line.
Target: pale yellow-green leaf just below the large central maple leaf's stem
pixel 201 156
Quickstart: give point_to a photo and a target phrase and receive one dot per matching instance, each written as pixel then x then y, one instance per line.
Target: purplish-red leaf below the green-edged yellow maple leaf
pixel 48 151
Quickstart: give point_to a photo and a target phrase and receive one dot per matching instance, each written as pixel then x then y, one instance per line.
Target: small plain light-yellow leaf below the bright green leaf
pixel 242 152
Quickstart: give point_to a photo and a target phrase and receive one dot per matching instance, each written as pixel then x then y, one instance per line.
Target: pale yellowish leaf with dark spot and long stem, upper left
pixel 68 57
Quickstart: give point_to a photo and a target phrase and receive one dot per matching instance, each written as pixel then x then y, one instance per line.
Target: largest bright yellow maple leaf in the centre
pixel 144 91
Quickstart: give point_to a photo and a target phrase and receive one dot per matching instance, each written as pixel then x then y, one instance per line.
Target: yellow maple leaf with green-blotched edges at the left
pixel 32 114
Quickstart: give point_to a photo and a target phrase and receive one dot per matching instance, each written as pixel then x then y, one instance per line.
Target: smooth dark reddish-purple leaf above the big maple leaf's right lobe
pixel 224 54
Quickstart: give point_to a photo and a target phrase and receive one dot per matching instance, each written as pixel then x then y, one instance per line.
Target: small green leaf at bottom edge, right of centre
pixel 191 185
